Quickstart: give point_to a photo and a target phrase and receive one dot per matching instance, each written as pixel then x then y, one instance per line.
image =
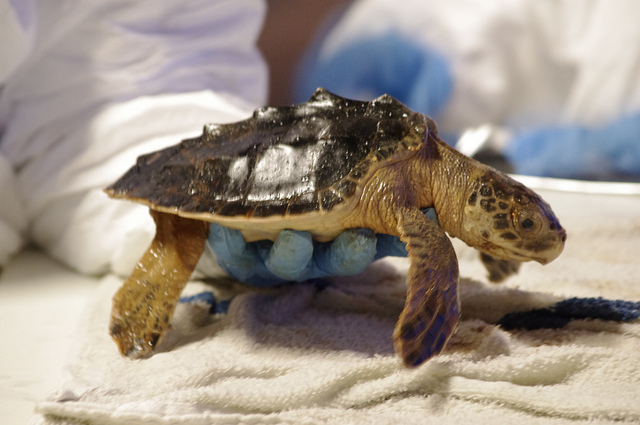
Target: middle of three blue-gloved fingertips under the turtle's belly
pixel 289 256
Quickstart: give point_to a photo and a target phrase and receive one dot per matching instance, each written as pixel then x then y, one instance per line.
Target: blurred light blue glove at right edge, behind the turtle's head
pixel 579 152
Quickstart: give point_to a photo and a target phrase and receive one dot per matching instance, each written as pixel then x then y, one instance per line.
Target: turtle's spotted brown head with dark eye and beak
pixel 508 221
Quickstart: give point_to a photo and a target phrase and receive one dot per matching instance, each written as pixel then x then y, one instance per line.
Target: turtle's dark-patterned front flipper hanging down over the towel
pixel 431 310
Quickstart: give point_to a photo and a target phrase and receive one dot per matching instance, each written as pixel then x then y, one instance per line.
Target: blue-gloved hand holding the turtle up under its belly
pixel 294 256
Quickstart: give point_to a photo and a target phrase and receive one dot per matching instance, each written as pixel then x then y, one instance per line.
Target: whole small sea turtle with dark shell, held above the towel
pixel 324 166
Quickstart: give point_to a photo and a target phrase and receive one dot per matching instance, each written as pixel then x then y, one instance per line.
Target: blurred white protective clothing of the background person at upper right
pixel 516 63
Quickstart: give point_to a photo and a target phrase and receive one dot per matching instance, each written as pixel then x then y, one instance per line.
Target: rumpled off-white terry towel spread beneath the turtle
pixel 323 354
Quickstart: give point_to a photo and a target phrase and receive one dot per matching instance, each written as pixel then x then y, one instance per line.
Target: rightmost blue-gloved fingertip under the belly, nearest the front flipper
pixel 348 254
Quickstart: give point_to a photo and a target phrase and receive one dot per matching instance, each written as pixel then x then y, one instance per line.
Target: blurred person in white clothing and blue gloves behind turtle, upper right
pixel 557 81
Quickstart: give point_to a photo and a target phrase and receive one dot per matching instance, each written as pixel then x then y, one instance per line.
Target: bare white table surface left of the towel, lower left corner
pixel 41 303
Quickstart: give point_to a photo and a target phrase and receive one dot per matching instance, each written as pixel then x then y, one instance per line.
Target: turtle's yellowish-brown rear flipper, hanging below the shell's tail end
pixel 144 305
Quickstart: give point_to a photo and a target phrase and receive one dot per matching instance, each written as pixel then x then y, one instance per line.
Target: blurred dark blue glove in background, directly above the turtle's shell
pixel 388 63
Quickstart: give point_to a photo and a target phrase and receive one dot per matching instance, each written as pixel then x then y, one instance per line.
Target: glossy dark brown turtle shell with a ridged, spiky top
pixel 283 160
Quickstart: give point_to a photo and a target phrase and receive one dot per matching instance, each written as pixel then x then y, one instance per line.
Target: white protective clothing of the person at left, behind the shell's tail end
pixel 91 84
